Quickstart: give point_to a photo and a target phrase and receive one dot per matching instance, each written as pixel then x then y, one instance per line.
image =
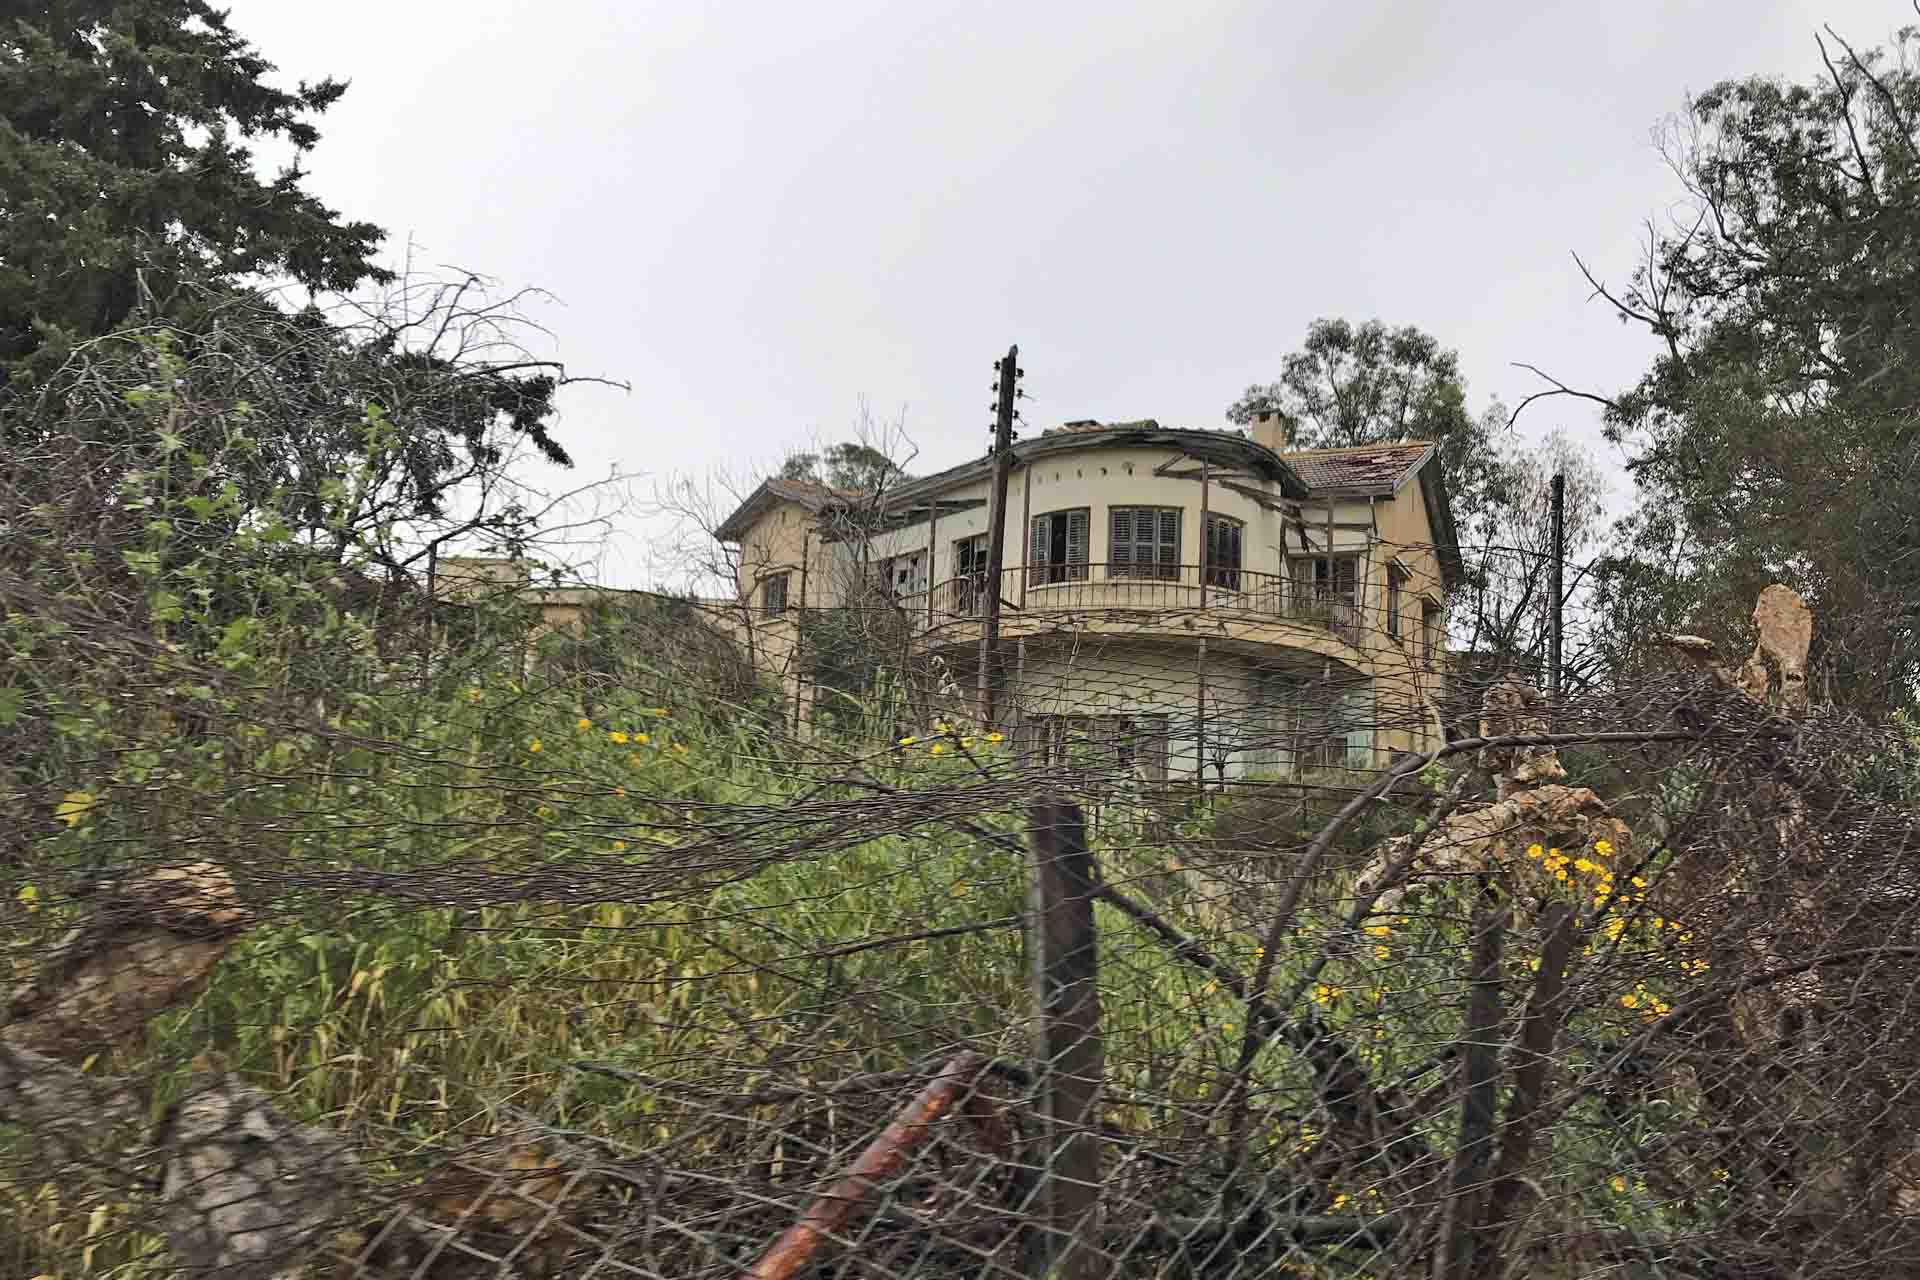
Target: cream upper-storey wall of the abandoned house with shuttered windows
pixel 1084 519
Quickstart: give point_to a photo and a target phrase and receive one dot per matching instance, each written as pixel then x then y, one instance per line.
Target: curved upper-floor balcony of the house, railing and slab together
pixel 1122 598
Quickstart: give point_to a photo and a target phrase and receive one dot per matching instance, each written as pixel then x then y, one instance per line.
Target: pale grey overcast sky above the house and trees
pixel 761 214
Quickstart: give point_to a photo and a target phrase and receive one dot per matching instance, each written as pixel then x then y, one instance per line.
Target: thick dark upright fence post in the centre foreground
pixel 1068 1053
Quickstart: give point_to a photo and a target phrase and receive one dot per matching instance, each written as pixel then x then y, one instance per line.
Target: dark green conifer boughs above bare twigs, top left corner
pixel 126 172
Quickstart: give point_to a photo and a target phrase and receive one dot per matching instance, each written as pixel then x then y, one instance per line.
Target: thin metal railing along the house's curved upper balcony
pixel 1132 590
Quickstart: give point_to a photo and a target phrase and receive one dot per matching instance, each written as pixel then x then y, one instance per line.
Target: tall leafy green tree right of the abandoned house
pixel 1775 435
